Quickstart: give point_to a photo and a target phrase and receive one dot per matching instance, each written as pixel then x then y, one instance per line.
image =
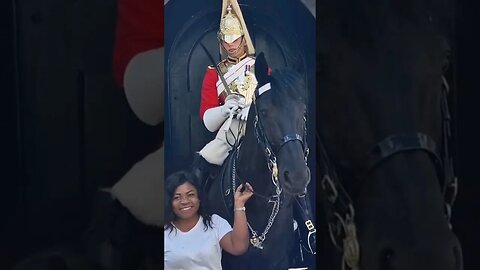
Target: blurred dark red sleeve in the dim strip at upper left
pixel 139 28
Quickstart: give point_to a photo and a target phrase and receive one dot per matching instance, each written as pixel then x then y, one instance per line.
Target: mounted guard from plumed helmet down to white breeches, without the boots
pixel 228 87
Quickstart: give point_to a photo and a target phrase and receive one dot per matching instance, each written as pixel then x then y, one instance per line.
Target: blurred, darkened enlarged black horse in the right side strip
pixel 383 123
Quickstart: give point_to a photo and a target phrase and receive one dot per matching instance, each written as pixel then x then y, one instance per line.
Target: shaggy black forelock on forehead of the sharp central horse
pixel 287 83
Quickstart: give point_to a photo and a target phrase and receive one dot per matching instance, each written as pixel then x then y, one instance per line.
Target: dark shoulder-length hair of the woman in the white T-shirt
pixel 171 184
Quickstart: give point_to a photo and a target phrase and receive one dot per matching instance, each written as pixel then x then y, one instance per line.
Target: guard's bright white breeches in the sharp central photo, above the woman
pixel 216 151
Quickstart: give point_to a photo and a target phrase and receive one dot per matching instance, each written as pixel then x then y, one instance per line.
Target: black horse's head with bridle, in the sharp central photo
pixel 278 113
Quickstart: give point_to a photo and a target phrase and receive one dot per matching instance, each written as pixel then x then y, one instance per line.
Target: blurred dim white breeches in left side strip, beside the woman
pixel 141 189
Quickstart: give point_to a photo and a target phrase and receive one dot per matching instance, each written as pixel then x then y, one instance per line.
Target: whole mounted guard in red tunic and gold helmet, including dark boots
pixel 227 92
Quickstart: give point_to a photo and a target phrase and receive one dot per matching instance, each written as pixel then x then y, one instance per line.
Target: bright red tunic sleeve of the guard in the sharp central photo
pixel 210 98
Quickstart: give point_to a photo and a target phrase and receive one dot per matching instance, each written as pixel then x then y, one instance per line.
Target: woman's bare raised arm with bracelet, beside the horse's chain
pixel 236 242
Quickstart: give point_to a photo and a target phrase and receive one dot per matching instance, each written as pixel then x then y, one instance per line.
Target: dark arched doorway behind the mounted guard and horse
pixel 287 41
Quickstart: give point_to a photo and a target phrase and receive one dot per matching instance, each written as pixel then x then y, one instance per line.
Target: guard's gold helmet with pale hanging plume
pixel 232 25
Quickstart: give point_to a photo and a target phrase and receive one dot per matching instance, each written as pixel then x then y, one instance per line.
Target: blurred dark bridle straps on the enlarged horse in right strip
pixel 340 210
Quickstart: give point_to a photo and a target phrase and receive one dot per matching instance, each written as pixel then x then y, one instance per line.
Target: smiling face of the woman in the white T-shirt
pixel 185 201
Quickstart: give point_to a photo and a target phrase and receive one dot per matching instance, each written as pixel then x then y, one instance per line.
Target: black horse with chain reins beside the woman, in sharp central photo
pixel 272 158
